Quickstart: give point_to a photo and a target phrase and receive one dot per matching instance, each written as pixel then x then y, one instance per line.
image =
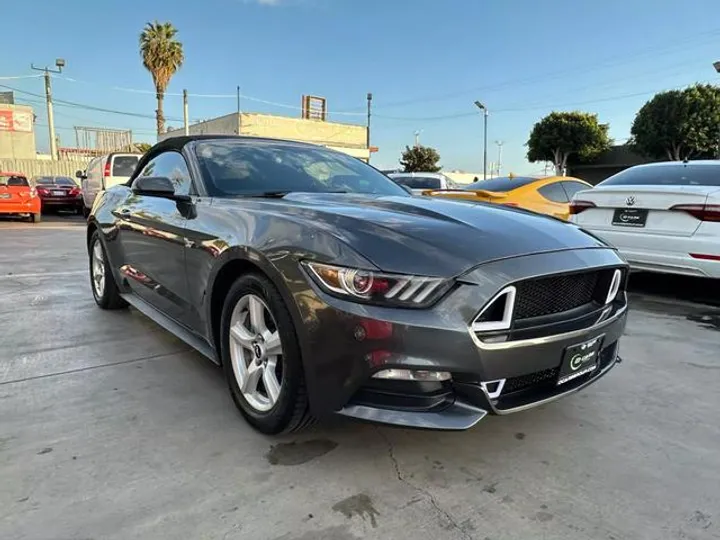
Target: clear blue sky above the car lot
pixel 425 61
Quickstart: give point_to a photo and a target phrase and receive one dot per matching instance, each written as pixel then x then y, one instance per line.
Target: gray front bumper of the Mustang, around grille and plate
pixel 339 366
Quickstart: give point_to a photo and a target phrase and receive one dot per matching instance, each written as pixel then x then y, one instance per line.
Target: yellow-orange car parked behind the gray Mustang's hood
pixel 550 195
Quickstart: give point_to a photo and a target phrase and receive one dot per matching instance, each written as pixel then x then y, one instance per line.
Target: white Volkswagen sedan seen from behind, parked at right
pixel 663 217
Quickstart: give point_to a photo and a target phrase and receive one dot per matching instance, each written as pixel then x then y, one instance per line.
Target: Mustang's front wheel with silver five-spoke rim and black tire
pixel 261 357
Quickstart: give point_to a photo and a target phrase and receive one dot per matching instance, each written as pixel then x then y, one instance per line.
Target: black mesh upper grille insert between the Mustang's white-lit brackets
pixel 554 294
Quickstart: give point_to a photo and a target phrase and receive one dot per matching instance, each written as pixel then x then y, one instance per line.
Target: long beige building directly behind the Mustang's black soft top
pixel 348 138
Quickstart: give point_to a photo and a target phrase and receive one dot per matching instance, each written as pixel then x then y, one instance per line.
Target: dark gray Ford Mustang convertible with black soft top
pixel 322 287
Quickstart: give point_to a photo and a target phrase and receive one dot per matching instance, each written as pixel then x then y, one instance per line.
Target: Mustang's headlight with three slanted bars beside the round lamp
pixel 376 288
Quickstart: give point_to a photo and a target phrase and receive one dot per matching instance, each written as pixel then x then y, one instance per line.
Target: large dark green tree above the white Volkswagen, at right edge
pixel 679 124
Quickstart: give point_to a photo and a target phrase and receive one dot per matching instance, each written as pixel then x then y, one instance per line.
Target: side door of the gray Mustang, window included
pixel 152 237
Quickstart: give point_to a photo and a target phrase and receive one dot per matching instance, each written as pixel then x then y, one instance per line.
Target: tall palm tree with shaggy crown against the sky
pixel 162 56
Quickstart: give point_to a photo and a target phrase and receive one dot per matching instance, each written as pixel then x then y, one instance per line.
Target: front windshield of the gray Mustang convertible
pixel 235 167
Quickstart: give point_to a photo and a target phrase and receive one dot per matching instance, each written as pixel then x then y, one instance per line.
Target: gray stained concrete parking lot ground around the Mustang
pixel 110 428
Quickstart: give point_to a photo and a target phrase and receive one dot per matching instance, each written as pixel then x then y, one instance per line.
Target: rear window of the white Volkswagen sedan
pixel 667 175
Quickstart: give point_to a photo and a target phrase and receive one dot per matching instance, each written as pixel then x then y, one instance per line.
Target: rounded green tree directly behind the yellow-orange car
pixel 561 135
